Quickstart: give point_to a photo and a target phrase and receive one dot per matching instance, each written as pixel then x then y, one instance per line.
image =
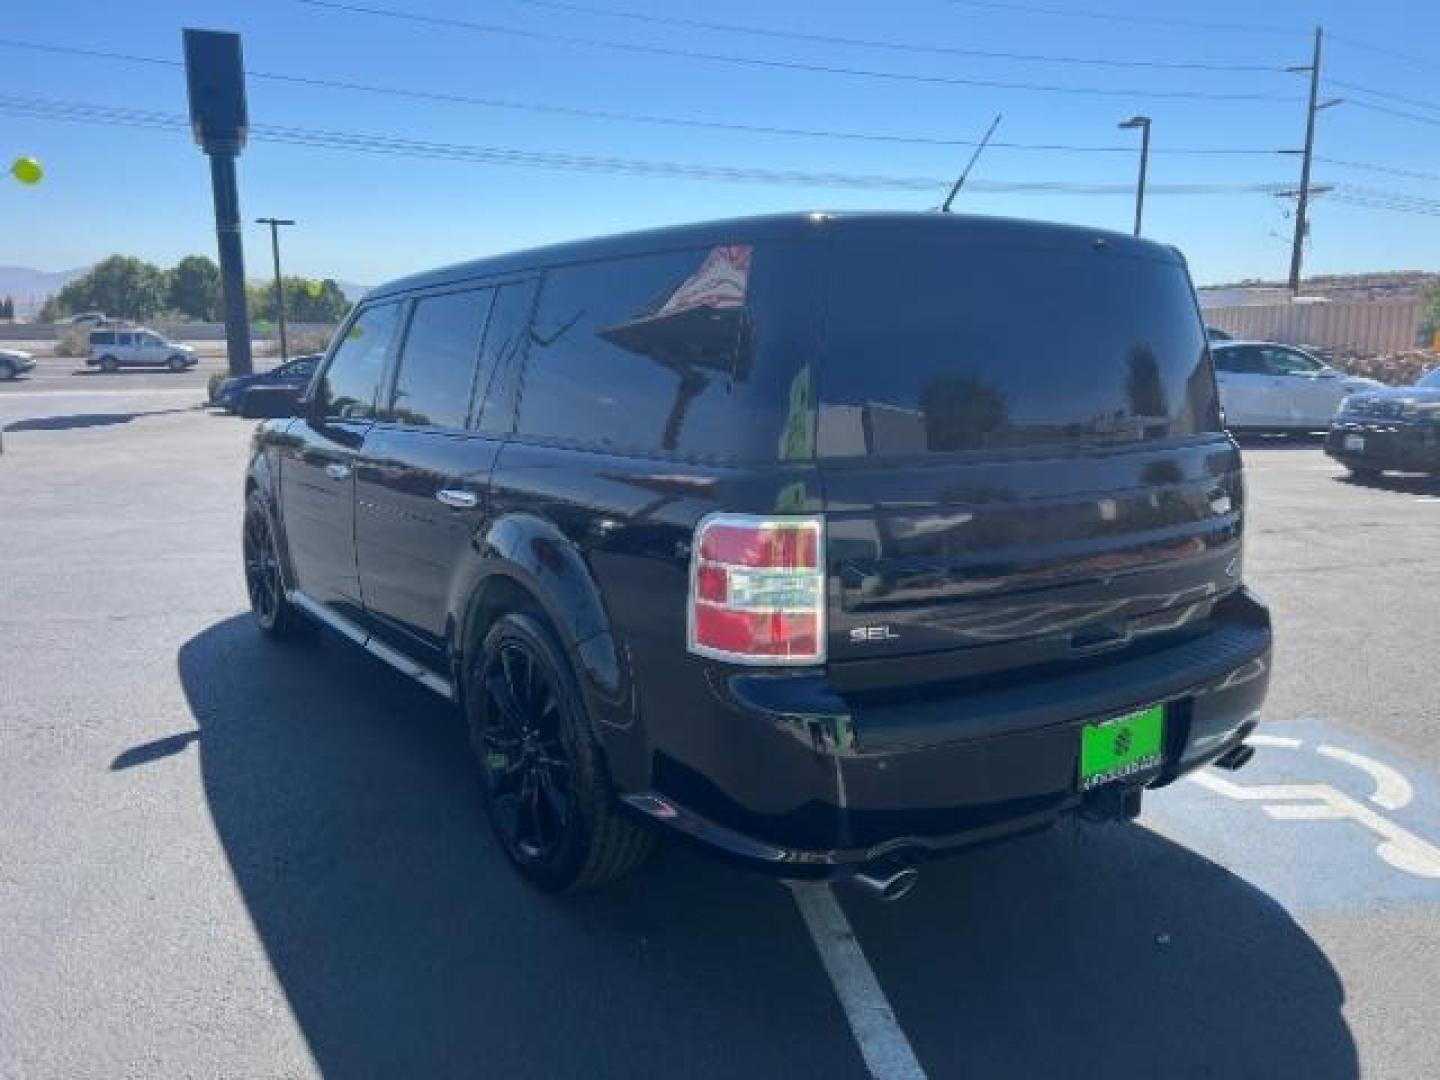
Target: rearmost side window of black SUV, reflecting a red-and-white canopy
pixel 699 354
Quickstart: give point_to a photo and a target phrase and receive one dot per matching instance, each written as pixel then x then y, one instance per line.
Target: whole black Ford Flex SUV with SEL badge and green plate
pixel 829 542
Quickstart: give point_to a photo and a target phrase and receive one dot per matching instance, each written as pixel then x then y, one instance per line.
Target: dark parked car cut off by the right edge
pixel 1395 428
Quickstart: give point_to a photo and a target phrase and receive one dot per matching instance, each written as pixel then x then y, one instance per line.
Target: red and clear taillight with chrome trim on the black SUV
pixel 758 590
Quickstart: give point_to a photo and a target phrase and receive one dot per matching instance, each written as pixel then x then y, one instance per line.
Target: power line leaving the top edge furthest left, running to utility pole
pixel 784 66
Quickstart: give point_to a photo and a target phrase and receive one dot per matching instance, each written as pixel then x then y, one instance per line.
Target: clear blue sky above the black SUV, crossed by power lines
pixel 368 218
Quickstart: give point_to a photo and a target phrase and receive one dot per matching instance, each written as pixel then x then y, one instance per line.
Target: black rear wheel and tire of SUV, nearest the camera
pixel 546 788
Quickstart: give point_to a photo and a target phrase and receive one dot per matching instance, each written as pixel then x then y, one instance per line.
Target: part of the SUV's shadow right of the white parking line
pixel 1105 951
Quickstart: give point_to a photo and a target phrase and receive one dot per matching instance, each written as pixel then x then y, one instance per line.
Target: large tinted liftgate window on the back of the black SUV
pixel 940 346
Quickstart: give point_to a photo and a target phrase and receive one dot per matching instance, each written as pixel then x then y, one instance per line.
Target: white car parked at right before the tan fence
pixel 1266 387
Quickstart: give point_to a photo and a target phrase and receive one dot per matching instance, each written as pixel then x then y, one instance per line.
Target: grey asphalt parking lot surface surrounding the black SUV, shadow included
pixel 227 858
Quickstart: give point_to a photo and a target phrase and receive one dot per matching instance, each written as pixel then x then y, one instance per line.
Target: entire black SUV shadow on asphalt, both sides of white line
pixel 348 807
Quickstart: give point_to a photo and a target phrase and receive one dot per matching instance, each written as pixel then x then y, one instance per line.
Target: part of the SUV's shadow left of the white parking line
pixel 346 804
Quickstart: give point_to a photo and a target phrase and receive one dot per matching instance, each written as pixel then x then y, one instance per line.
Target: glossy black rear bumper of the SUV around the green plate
pixel 803 783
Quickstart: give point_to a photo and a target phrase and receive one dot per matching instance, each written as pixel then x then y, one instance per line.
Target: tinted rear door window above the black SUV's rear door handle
pixel 438 361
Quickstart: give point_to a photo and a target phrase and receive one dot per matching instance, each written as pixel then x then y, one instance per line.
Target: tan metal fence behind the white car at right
pixel 1366 328
